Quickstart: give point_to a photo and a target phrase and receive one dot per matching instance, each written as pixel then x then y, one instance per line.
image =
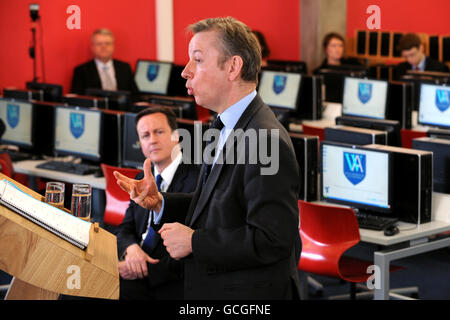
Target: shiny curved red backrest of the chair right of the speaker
pixel 326 231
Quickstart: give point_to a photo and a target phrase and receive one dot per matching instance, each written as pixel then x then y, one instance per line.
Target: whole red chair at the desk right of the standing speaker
pixel 327 232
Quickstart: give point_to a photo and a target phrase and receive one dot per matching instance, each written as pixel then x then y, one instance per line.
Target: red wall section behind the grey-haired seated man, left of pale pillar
pixel 132 22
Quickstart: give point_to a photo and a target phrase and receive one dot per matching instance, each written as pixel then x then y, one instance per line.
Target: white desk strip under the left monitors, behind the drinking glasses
pixel 29 167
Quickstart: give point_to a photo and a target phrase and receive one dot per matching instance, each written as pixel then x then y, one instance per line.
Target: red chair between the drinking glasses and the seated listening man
pixel 117 200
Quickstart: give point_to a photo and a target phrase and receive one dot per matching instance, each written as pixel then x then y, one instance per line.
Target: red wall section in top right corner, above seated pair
pixel 401 15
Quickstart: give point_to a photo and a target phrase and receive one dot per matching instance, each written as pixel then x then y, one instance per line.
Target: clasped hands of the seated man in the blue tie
pixel 136 263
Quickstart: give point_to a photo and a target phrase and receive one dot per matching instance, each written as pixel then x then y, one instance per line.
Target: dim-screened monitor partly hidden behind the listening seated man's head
pixel 132 155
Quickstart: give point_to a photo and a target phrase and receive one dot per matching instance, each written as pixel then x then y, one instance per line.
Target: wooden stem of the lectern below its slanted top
pixel 20 290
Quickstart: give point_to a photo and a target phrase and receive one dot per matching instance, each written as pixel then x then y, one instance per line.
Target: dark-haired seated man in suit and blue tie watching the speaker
pixel 140 279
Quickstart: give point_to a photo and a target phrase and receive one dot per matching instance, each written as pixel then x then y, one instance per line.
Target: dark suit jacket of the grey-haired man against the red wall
pixel 86 76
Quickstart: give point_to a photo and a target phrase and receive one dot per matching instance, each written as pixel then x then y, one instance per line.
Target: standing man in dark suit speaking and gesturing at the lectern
pixel 240 239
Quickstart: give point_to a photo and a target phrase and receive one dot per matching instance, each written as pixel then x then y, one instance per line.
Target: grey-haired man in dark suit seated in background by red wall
pixel 103 72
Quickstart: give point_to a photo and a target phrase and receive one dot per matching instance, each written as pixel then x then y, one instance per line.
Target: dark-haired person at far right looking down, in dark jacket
pixel 412 49
